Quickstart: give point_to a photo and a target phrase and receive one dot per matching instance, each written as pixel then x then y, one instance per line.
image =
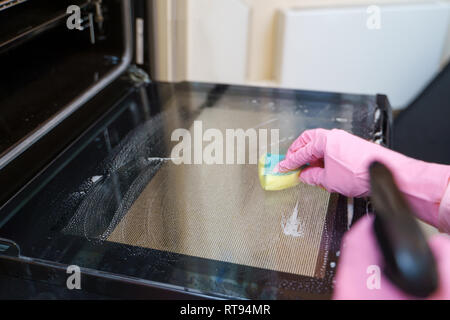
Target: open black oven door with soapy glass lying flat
pixel 139 224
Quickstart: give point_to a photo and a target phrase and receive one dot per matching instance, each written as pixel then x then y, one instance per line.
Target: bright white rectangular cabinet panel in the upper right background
pixel 337 49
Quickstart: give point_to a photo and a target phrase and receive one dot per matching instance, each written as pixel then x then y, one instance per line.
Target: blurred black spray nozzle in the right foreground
pixel 408 260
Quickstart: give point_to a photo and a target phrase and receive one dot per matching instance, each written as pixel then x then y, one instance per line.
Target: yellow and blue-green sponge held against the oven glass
pixel 272 181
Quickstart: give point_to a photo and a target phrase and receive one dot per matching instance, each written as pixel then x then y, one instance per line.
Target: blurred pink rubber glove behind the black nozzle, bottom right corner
pixel 360 266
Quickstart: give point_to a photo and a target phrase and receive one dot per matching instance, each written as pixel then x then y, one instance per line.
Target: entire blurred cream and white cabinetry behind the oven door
pixel 306 44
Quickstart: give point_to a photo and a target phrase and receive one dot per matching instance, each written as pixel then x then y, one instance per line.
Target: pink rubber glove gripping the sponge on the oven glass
pixel 340 161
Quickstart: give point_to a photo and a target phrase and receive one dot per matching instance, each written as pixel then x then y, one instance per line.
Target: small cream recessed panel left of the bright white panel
pixel 217 41
